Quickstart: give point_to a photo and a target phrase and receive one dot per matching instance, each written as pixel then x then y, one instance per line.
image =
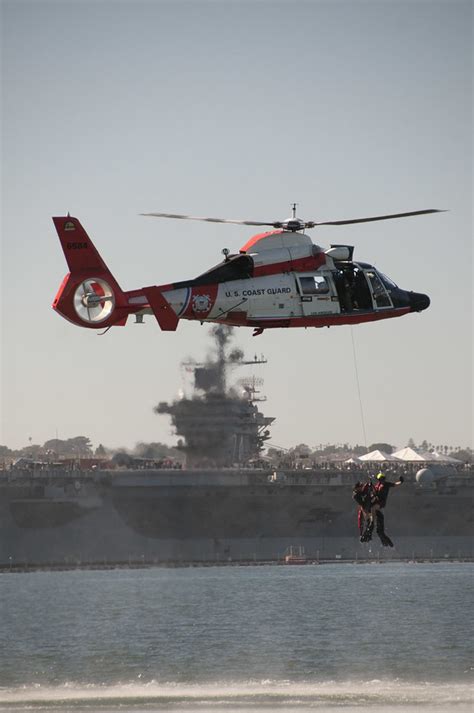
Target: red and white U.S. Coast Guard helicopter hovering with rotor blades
pixel 277 279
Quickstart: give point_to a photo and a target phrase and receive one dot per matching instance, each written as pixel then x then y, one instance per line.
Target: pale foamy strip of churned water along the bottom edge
pixel 375 694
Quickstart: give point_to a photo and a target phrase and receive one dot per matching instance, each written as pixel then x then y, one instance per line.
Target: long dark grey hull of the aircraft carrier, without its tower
pixel 209 516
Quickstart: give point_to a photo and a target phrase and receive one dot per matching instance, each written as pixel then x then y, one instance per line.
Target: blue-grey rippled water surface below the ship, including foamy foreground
pixel 239 638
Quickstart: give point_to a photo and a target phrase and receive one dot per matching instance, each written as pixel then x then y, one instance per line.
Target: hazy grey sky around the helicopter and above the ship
pixel 237 109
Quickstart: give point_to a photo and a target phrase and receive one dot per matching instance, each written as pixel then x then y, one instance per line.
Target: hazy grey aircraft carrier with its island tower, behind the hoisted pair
pixel 226 505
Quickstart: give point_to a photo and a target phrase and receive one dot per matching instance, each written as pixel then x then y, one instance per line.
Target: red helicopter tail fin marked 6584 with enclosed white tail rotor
pixel 89 295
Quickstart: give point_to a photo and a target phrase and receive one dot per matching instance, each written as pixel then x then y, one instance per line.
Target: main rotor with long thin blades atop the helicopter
pixel 294 224
